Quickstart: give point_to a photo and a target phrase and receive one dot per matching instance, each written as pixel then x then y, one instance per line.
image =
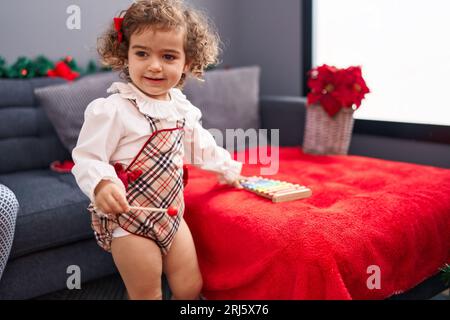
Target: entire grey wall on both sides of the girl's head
pixel 262 32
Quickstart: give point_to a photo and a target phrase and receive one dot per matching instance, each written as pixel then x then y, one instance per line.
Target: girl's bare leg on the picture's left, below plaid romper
pixel 140 265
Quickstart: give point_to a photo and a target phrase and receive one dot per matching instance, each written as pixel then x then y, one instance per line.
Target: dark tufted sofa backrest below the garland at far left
pixel 25 129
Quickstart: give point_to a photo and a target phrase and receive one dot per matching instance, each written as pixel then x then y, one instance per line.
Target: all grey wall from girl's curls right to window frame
pixel 263 32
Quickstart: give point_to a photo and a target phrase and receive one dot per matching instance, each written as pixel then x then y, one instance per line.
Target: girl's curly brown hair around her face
pixel 201 41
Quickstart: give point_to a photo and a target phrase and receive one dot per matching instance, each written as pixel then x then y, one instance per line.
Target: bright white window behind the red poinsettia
pixel 403 48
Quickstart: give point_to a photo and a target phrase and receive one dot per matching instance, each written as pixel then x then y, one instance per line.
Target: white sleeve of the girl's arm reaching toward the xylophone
pixel 202 151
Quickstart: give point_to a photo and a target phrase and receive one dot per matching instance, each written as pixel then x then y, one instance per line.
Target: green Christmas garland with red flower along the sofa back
pixel 66 68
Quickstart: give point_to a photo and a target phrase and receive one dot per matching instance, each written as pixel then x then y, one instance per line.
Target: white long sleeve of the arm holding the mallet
pixel 98 139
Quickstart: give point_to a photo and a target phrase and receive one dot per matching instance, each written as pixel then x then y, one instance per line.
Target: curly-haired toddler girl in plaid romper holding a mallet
pixel 131 147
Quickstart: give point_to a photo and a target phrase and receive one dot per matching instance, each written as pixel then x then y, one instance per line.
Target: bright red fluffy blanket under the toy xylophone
pixel 369 223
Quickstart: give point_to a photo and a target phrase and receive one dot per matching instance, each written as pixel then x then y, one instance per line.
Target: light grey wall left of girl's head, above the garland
pixel 30 28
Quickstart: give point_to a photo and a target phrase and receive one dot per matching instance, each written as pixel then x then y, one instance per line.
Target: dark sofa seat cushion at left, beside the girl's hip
pixel 52 210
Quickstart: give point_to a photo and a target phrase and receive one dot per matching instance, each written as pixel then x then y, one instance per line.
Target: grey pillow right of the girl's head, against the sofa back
pixel 228 98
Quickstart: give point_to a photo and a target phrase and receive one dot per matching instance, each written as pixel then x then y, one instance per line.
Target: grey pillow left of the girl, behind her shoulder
pixel 65 104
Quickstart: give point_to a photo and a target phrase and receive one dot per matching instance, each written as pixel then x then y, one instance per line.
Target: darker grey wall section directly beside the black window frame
pixel 269 35
